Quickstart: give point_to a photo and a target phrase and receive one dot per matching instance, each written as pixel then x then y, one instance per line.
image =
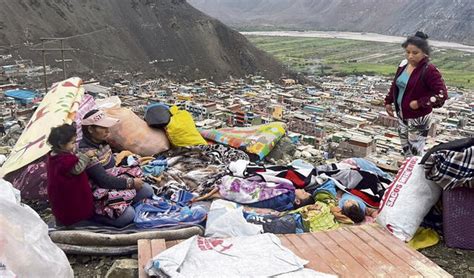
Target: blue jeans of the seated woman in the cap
pixel 129 214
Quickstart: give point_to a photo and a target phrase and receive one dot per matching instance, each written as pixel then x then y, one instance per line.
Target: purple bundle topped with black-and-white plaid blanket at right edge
pixel 451 167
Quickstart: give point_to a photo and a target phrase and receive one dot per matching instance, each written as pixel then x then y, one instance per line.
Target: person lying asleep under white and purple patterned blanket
pixel 260 191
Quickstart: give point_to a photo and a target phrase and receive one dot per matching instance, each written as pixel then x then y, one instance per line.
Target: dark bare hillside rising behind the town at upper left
pixel 159 37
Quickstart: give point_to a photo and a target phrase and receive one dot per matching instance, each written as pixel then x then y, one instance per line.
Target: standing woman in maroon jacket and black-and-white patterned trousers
pixel 416 89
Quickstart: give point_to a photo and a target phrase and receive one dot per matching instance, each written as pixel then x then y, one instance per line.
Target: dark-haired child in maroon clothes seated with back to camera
pixel 69 192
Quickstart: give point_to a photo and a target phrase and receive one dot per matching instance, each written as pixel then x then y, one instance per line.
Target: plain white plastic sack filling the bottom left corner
pixel 25 246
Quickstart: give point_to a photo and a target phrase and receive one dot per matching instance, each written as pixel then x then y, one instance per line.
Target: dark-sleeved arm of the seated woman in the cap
pixel 98 174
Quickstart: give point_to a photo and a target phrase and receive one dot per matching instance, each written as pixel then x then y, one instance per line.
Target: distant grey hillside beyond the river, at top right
pixel 447 20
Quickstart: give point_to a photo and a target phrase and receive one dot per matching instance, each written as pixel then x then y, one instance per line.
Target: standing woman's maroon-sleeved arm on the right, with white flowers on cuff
pixel 435 83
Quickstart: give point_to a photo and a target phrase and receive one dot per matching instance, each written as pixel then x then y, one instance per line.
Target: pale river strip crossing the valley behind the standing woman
pixel 357 36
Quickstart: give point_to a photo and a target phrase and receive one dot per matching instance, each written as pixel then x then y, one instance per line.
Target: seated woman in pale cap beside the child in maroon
pixel 113 195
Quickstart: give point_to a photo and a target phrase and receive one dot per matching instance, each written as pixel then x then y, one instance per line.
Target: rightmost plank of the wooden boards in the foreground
pixel 421 263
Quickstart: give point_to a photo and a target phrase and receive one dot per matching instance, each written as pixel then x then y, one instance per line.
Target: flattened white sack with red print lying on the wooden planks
pixel 253 256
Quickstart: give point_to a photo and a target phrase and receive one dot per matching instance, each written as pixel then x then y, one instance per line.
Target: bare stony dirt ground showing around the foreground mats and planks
pixel 458 262
